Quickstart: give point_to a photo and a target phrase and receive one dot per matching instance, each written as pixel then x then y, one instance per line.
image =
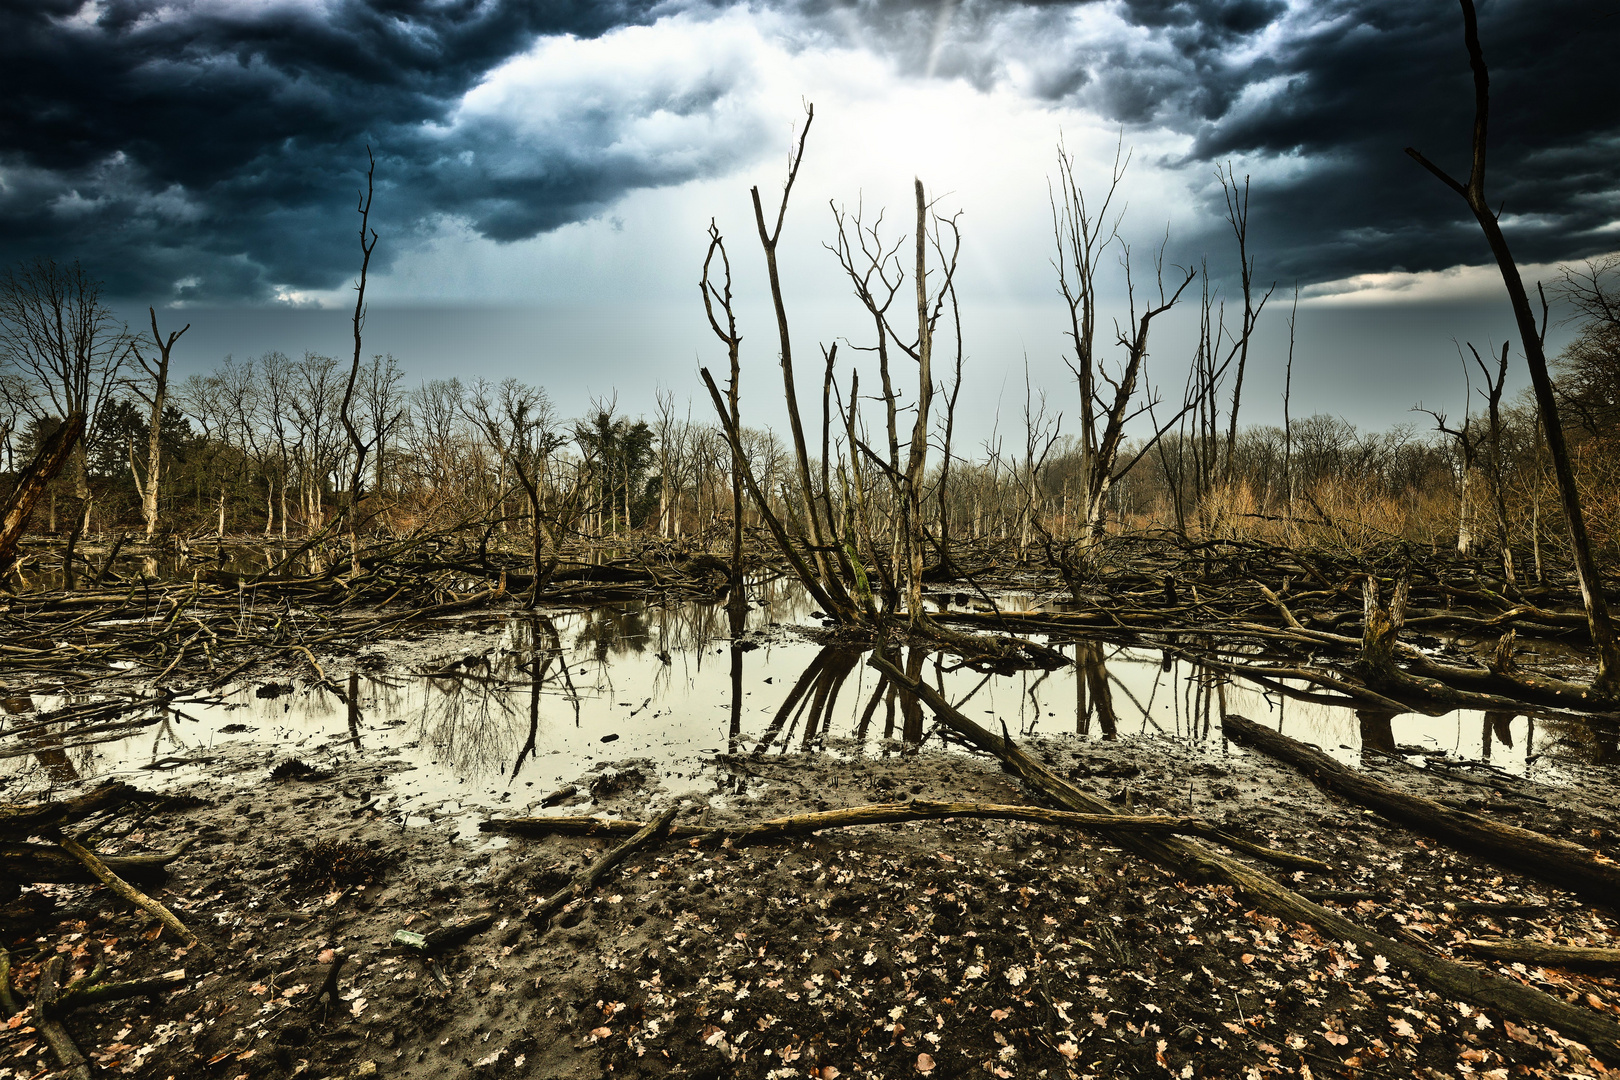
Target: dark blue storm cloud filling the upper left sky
pixel 220 143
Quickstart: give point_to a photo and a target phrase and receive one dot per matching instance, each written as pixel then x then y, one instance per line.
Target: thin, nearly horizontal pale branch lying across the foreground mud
pixel 892 814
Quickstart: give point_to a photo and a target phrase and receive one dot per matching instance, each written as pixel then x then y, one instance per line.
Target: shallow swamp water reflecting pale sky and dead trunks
pixel 500 716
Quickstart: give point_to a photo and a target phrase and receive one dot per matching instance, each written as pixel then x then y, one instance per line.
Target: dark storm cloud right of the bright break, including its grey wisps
pixel 1321 100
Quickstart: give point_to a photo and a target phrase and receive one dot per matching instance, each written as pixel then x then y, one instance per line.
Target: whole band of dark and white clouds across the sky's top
pixel 210 150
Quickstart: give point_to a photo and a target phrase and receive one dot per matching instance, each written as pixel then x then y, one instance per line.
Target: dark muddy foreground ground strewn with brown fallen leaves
pixel 931 950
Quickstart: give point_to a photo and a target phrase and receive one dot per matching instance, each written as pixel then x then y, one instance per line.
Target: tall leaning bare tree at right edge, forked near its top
pixel 1532 339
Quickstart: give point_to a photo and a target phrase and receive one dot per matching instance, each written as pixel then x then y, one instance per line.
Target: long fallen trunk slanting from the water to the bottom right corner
pixel 1198 862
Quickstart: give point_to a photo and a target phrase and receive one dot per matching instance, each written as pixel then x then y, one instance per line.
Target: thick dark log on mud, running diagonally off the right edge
pixel 1553 861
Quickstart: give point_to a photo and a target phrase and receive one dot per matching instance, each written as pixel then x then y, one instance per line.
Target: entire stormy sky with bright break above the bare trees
pixel 547 172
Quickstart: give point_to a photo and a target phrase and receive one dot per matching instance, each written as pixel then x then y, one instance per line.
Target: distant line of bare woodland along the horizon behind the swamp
pixel 255 448
